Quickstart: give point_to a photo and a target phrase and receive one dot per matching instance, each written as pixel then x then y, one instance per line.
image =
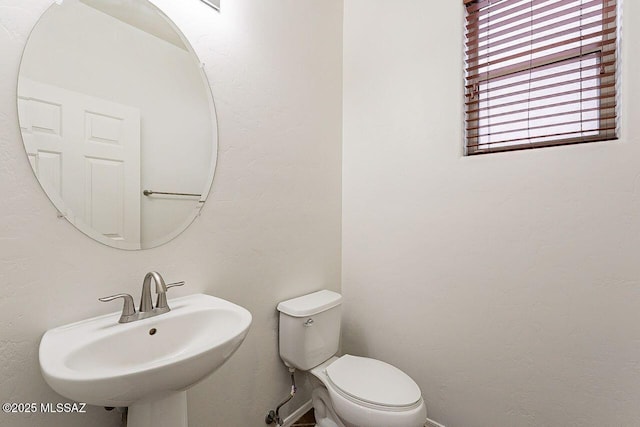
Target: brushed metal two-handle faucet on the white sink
pixel 129 313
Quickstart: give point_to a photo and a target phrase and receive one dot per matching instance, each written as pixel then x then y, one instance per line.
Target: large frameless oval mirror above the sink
pixel 117 120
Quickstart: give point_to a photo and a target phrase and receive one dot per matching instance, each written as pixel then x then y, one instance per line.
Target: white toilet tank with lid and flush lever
pixel 310 329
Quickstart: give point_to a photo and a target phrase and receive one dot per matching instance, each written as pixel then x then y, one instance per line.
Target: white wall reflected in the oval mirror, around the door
pixel 82 49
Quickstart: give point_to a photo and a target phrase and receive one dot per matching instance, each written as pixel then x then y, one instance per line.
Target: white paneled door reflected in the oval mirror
pixel 87 150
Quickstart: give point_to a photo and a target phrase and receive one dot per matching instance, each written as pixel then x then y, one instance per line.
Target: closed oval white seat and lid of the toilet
pixel 373 383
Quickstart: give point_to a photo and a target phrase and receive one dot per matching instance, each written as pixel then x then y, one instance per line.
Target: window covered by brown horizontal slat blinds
pixel 539 73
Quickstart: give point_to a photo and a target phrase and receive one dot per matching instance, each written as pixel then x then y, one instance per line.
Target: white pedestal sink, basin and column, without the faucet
pixel 145 365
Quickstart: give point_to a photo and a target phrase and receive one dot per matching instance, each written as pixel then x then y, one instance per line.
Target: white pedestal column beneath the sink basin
pixel 166 411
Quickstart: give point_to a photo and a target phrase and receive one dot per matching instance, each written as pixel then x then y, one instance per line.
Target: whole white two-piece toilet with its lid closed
pixel 349 391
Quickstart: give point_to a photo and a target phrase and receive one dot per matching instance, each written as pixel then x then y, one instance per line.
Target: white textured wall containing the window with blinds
pixel 507 285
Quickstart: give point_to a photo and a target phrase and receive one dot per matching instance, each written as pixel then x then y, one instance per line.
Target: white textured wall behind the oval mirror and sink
pixel 269 231
